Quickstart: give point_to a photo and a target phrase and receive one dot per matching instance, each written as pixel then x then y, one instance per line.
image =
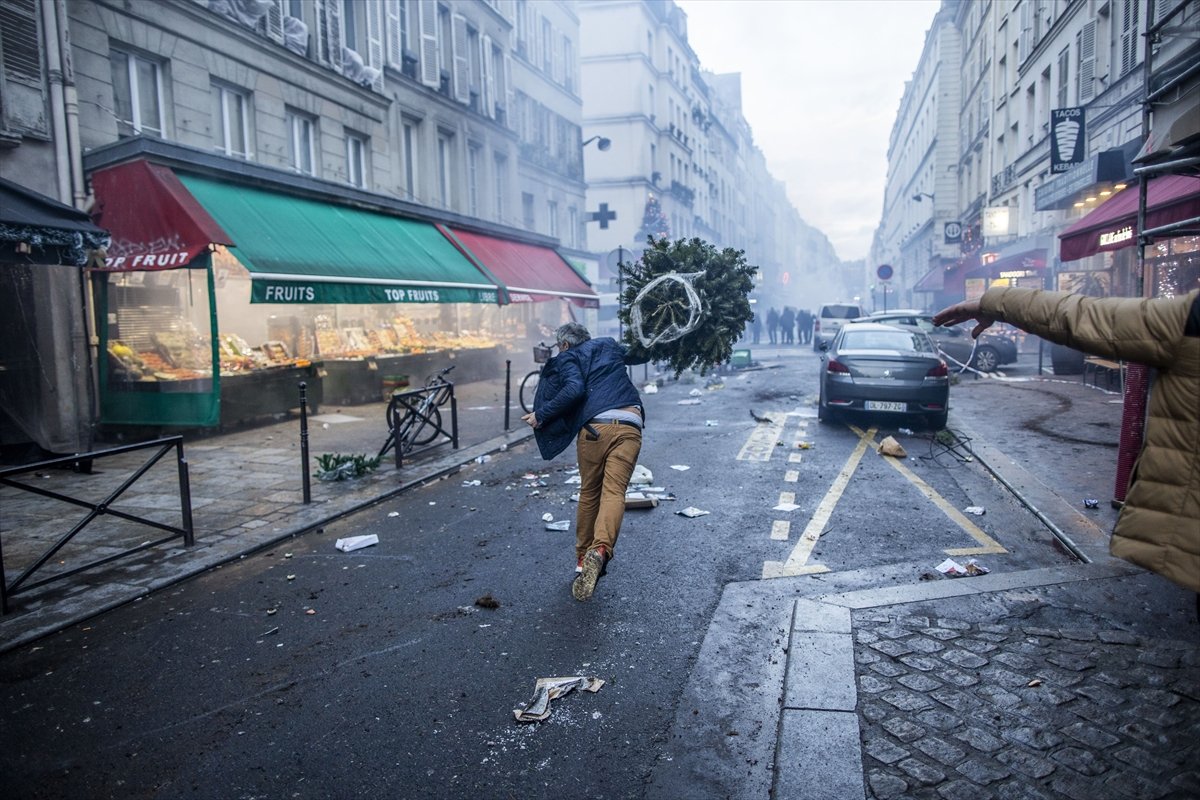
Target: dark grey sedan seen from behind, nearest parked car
pixel 873 368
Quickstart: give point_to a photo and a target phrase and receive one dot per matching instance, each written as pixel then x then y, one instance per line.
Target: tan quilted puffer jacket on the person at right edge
pixel 1160 525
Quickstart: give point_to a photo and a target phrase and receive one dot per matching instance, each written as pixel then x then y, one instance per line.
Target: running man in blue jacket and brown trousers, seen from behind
pixel 585 394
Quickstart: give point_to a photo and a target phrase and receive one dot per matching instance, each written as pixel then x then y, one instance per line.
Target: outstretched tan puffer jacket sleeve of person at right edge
pixel 1133 329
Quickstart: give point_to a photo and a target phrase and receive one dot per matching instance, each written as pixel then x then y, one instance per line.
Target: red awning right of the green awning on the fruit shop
pixel 529 273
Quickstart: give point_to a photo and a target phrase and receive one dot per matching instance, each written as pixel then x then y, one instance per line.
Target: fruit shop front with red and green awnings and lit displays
pixel 220 298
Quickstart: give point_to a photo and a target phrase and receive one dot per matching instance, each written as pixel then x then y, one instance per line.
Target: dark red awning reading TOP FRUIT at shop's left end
pixel 155 221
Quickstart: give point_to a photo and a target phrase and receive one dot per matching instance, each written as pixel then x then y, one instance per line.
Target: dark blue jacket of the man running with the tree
pixel 575 387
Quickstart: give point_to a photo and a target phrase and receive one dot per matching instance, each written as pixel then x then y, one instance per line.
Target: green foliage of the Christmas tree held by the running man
pixel 724 290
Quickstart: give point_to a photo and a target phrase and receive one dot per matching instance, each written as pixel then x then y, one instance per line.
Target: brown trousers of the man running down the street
pixel 607 464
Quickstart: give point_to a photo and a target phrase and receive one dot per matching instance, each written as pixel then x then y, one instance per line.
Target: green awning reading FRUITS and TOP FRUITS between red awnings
pixel 302 251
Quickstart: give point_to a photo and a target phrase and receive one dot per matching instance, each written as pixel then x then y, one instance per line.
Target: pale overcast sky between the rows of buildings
pixel 821 82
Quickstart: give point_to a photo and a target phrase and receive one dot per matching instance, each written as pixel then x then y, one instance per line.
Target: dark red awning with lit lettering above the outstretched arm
pixel 1114 225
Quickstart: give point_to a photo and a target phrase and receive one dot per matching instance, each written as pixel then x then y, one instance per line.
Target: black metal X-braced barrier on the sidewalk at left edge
pixel 97 510
